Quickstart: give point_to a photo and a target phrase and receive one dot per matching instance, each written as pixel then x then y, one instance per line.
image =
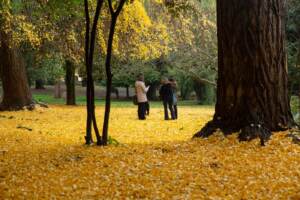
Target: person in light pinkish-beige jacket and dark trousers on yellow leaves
pixel 141 91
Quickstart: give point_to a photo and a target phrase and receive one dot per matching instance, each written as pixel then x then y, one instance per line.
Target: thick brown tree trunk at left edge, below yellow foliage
pixel 16 91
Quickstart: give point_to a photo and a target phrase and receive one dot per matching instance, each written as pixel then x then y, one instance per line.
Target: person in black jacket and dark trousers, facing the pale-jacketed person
pixel 166 95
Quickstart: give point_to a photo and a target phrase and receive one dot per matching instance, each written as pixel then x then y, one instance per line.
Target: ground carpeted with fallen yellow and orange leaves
pixel 42 156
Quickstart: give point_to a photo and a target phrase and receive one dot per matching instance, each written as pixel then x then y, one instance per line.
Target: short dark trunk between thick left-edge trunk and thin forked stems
pixel 70 83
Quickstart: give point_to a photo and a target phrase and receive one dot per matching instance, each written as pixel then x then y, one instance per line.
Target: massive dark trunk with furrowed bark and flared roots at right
pixel 252 91
